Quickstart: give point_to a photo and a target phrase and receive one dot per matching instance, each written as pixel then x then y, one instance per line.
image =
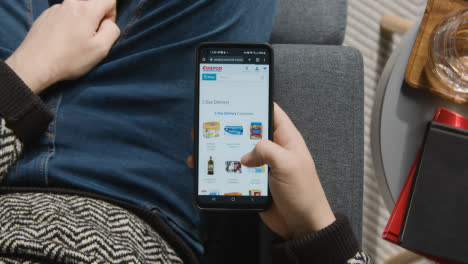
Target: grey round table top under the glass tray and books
pixel 399 121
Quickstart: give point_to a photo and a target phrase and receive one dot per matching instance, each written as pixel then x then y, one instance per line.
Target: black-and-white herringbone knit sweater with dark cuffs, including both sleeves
pixel 29 216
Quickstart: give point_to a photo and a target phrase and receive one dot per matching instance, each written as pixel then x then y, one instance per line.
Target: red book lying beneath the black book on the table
pixel 393 228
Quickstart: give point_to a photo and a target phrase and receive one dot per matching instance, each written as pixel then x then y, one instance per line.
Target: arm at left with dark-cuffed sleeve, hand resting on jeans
pixel 51 52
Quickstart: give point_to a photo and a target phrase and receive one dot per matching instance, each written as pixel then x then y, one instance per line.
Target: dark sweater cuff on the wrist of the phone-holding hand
pixel 334 244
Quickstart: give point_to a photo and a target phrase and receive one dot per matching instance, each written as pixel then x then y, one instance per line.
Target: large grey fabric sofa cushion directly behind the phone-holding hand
pixel 321 88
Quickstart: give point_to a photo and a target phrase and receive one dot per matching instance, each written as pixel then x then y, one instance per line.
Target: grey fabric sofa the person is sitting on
pixel 319 83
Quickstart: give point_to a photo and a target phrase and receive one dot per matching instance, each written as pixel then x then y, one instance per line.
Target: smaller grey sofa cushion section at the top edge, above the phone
pixel 310 22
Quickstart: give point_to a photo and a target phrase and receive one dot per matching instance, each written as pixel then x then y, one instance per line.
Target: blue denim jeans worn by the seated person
pixel 123 130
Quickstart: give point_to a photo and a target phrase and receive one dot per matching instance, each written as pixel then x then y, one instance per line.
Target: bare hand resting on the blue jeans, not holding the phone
pixel 66 42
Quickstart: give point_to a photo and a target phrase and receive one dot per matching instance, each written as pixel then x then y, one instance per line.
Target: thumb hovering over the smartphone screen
pixel 265 152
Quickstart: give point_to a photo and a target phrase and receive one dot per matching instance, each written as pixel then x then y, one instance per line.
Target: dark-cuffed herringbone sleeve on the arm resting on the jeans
pixel 23 117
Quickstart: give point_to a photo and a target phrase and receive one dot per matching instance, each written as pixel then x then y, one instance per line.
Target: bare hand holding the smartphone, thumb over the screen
pixel 299 202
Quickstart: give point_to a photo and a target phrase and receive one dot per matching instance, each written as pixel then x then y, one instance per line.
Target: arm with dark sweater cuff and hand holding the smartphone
pixel 300 213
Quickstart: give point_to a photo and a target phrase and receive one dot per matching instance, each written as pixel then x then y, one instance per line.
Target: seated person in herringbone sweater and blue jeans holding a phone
pixel 56 202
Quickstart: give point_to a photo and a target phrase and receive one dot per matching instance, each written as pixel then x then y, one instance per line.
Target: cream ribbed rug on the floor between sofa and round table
pixel 363 33
